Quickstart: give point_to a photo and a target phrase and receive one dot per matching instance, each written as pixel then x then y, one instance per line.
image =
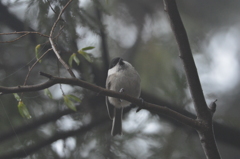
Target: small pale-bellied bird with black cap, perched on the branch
pixel 122 77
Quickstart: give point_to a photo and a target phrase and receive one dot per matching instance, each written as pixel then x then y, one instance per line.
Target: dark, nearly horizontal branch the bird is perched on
pixel 102 91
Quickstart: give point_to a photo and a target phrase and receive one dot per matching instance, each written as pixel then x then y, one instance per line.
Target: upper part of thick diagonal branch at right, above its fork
pixel 187 58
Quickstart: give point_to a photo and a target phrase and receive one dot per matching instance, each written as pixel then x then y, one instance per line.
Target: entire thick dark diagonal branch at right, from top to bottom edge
pixel 203 112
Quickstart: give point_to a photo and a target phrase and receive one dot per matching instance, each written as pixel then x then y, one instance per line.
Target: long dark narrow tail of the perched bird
pixel 117 122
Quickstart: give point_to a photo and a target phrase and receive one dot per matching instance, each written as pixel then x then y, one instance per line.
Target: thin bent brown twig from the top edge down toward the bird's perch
pixel 53 45
